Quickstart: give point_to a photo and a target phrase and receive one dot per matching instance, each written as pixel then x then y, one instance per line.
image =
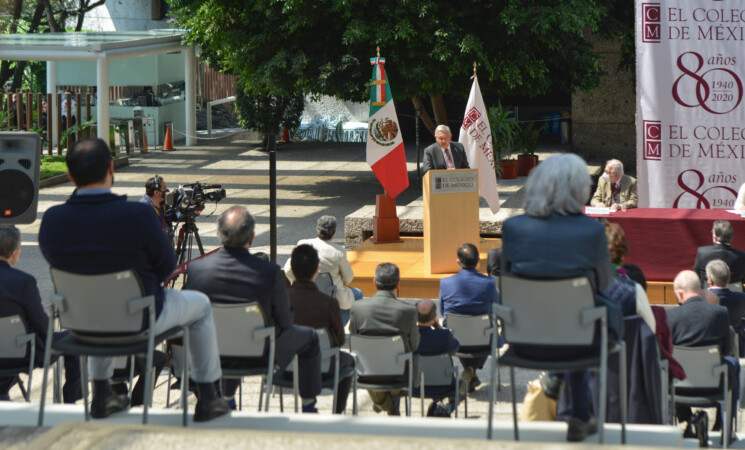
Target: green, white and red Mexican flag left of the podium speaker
pixel 385 147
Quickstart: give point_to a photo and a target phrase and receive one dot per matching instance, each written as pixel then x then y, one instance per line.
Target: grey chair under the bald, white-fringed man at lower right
pixel 706 382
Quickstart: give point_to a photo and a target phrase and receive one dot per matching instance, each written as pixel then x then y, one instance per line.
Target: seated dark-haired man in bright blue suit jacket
pixel 468 293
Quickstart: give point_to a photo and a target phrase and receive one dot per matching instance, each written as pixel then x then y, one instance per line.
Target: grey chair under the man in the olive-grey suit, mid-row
pixel 381 356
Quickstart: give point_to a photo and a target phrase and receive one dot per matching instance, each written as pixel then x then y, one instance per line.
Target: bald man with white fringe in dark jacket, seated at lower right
pixel 696 323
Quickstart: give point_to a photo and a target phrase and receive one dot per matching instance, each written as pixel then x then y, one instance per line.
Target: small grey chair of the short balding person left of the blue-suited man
pixel 438 374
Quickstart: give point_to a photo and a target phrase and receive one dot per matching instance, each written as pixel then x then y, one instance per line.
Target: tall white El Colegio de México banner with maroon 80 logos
pixel 690 113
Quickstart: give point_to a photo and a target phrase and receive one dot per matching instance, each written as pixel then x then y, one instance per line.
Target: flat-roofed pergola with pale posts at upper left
pixel 102 48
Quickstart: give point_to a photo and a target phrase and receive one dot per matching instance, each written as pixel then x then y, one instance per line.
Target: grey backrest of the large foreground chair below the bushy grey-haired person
pixel 544 312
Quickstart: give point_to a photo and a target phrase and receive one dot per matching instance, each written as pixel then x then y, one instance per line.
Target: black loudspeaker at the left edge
pixel 19 176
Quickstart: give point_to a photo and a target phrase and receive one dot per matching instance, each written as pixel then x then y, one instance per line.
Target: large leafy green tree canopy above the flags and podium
pixel 278 47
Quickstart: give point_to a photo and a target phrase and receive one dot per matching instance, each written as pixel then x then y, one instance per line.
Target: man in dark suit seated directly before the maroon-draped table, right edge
pixel 722 235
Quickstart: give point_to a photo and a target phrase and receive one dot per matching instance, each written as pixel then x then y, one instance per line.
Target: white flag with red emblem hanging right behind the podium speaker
pixel 475 135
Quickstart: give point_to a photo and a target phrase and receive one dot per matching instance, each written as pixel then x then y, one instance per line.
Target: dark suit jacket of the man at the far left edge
pixel 19 295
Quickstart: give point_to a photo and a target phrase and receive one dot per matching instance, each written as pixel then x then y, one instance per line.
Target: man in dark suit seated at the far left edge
pixel 20 296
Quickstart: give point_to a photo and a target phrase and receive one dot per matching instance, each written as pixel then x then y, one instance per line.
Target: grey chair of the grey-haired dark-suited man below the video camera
pixel 242 334
